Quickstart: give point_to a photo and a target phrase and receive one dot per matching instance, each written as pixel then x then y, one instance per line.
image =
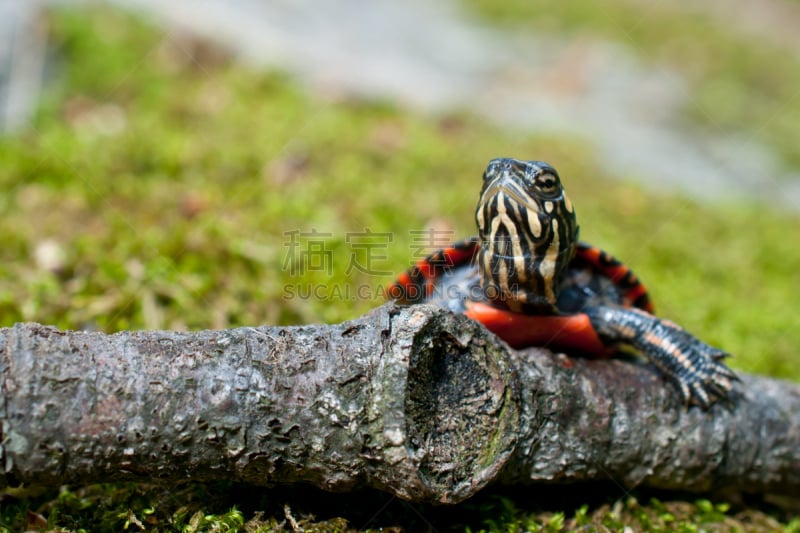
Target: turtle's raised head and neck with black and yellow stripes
pixel 528 233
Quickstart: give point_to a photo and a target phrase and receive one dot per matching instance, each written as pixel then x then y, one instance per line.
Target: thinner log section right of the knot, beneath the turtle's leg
pixel 618 420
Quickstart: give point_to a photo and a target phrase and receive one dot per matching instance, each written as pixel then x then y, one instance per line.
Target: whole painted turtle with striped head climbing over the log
pixel 528 278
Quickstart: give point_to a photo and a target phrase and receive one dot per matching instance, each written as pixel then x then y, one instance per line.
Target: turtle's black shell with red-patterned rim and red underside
pixel 450 278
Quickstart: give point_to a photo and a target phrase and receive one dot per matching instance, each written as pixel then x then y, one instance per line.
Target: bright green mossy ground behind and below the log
pixel 159 186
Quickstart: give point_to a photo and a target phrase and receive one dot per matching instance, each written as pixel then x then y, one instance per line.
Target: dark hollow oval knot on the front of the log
pixel 459 406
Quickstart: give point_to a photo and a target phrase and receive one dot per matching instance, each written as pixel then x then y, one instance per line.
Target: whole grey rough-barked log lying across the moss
pixel 416 401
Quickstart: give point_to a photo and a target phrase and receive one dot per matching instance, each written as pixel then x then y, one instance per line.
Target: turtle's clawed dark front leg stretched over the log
pixel 697 368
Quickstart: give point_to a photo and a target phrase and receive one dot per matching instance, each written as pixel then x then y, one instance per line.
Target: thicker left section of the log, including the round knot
pixel 392 400
